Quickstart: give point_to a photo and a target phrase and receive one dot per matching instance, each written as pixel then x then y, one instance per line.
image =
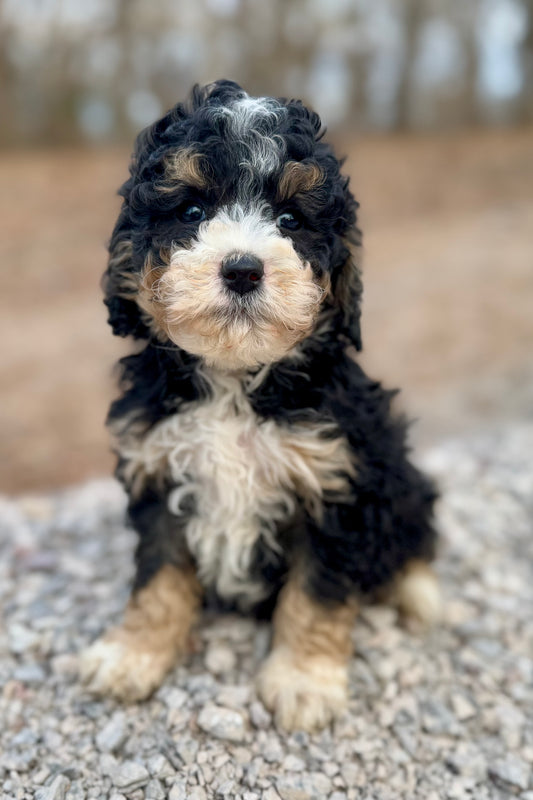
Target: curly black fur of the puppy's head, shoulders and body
pixel 361 543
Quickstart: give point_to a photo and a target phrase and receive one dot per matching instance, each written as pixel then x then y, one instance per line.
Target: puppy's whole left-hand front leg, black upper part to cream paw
pixel 131 660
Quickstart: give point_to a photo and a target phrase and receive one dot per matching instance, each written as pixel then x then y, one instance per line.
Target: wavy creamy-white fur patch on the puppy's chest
pixel 244 474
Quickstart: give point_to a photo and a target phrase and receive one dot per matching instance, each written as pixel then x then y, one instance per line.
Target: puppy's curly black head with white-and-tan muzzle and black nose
pixel 232 228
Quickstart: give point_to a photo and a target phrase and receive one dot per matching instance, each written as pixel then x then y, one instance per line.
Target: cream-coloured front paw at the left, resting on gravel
pixel 120 665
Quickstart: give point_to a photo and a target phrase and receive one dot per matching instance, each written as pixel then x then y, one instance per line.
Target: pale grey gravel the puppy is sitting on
pixel 449 715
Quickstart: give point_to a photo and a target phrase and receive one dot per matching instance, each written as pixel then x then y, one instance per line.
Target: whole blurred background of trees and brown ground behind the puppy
pixel 430 100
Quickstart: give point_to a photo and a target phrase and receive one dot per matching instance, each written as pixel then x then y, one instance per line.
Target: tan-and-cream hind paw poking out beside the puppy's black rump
pixel 417 595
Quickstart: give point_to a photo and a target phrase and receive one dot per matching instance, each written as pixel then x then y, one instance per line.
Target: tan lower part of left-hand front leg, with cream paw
pixel 131 660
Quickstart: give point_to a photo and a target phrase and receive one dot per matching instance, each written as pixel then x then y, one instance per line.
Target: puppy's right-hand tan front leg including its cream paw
pixel 304 681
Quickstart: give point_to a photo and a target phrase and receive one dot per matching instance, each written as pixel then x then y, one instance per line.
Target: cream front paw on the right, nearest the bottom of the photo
pixel 306 695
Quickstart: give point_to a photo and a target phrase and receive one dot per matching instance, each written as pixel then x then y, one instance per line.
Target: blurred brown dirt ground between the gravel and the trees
pixel 448 310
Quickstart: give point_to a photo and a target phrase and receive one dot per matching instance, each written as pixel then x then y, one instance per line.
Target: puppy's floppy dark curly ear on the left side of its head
pixel 119 283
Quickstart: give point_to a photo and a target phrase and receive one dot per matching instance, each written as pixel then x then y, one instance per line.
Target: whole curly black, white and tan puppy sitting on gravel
pixel 264 469
